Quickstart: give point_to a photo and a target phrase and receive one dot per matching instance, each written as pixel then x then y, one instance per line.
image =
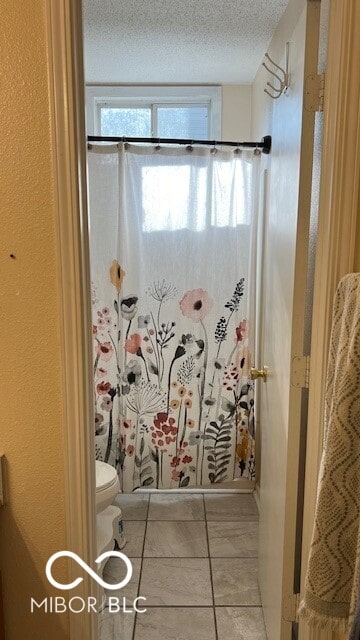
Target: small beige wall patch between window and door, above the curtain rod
pixel 236 112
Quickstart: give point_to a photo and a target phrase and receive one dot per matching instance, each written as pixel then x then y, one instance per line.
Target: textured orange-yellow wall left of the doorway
pixel 32 523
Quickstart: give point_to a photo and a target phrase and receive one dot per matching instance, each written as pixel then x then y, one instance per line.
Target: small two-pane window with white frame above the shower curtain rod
pixel 160 112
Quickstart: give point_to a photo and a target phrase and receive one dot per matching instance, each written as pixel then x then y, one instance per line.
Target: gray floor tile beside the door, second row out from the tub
pixel 233 539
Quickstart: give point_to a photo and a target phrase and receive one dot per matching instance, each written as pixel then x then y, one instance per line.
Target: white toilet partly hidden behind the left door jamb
pixel 109 525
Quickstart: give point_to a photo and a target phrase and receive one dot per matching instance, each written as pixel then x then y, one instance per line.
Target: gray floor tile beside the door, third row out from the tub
pixel 235 581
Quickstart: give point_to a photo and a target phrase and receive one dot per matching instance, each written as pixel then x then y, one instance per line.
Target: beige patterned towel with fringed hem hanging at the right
pixel 332 580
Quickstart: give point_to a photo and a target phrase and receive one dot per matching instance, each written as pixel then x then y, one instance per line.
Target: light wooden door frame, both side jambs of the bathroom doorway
pixel 336 255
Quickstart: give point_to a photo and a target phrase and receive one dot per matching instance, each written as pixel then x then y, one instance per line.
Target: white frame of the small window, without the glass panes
pixel 98 96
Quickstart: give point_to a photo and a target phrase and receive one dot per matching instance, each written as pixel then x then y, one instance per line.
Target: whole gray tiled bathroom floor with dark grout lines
pixel 195 560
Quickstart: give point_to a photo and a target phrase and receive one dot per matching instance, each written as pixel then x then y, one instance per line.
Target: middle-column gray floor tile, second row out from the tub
pixel 178 539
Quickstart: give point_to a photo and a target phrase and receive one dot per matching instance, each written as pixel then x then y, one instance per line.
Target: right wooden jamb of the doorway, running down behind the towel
pixel 338 233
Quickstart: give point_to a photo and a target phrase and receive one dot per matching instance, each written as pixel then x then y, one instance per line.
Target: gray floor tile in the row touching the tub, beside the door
pixel 224 506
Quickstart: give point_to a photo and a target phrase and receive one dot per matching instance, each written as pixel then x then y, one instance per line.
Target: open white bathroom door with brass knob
pixel 285 213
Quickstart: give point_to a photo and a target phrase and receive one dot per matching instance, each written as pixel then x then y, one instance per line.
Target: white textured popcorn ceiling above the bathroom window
pixel 177 41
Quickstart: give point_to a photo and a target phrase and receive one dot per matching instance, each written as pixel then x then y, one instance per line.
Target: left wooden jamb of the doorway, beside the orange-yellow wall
pixel 66 85
